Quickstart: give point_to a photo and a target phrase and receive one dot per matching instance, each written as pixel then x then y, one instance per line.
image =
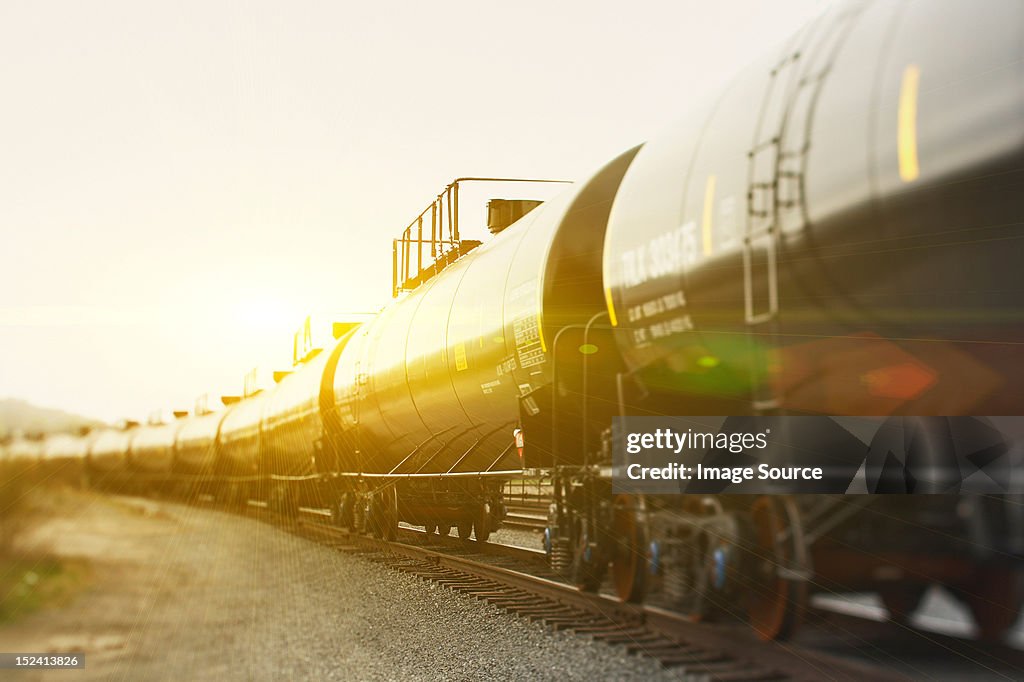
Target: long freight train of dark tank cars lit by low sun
pixel 838 232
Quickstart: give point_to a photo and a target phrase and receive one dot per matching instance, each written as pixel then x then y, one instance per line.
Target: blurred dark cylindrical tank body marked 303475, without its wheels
pixel 840 231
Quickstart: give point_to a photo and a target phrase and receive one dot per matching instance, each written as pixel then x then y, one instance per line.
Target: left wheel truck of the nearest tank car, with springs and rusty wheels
pixel 703 560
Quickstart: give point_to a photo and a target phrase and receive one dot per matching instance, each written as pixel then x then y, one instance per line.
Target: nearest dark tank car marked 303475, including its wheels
pixel 837 233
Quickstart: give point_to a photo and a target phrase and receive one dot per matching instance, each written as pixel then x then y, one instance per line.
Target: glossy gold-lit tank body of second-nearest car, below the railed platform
pixel 434 385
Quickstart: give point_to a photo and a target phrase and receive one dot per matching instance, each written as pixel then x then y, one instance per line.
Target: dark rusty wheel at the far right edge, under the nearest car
pixel 994 596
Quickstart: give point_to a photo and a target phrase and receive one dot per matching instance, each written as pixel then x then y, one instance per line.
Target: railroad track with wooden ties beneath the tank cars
pixel 520 581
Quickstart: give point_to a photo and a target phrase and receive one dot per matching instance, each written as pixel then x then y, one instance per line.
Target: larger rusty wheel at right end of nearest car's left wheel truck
pixel 777 598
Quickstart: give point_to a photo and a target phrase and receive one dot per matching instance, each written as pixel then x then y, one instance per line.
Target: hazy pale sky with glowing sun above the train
pixel 181 184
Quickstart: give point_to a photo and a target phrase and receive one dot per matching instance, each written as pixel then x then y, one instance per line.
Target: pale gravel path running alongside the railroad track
pixel 187 593
